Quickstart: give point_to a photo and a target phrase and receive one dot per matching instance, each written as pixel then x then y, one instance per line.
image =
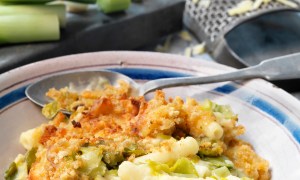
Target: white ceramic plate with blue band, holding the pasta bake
pixel 270 115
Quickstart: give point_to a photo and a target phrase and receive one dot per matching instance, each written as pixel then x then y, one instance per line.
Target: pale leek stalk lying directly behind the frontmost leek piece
pixel 58 9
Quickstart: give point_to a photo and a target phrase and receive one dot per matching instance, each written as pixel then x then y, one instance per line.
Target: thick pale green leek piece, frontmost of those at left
pixel 28 28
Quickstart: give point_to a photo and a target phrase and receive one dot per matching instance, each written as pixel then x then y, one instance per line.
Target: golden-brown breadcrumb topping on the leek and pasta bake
pixel 113 127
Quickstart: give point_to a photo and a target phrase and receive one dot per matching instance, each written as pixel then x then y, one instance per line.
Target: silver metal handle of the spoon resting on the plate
pixel 284 67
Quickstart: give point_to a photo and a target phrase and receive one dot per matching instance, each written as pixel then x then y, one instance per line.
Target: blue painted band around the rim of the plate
pixel 150 74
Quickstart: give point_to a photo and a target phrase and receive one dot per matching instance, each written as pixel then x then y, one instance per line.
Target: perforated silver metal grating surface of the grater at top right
pixel 211 23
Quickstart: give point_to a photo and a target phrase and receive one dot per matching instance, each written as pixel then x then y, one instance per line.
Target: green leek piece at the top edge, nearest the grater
pixel 110 6
